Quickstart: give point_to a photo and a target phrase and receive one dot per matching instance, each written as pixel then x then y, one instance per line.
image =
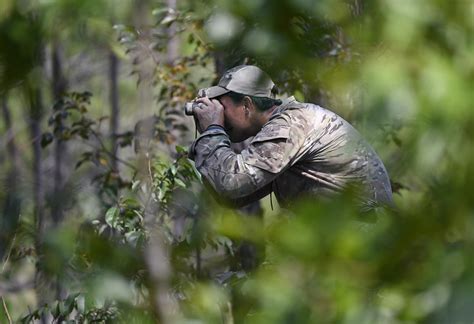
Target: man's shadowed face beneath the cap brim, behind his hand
pixel 236 121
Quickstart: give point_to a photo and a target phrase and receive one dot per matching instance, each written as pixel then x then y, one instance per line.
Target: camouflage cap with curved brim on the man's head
pixel 244 79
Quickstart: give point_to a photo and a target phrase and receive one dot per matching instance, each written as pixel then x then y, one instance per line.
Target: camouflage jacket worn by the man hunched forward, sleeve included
pixel 302 150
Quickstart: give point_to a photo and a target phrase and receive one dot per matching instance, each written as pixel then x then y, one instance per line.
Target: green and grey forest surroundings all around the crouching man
pixel 103 217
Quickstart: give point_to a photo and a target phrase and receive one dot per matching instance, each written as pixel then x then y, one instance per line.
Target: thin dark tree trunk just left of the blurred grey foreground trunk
pixel 114 105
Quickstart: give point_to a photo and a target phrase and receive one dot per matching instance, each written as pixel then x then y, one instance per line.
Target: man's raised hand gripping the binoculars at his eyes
pixel 208 112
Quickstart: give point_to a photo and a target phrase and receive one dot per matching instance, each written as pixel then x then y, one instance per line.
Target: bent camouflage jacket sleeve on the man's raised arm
pixel 248 175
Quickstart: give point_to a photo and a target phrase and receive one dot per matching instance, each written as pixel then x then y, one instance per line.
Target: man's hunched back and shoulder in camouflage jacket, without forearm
pixel 315 152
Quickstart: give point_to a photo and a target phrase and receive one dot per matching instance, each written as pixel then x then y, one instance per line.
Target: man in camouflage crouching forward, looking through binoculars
pixel 298 149
